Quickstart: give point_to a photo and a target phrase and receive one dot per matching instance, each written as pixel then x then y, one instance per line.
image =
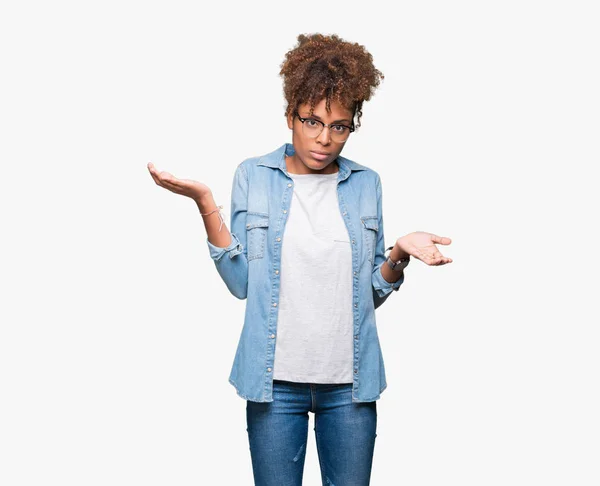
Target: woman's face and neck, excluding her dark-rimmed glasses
pixel 306 159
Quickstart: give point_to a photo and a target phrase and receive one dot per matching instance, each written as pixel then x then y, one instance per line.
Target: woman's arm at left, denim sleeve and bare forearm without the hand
pixel 228 250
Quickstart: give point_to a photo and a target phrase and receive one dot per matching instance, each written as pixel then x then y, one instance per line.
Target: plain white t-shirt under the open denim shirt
pixel 314 328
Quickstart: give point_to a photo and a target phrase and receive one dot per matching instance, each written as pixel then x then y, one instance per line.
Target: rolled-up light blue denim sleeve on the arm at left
pixel 232 261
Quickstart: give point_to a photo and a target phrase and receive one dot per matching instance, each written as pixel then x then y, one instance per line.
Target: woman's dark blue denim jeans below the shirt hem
pixel 345 434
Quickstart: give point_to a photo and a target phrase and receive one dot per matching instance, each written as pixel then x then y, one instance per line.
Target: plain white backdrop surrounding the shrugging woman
pixel 117 334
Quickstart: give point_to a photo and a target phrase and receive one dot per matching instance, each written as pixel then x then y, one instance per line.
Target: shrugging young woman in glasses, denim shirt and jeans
pixel 306 249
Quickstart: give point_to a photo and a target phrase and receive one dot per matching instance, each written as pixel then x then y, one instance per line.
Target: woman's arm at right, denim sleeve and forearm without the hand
pixel 384 279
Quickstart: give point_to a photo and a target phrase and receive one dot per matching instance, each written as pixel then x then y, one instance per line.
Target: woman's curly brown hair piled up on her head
pixel 329 67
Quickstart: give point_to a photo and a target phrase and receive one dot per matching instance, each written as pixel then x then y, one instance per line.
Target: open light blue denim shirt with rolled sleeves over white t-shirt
pixel 250 267
